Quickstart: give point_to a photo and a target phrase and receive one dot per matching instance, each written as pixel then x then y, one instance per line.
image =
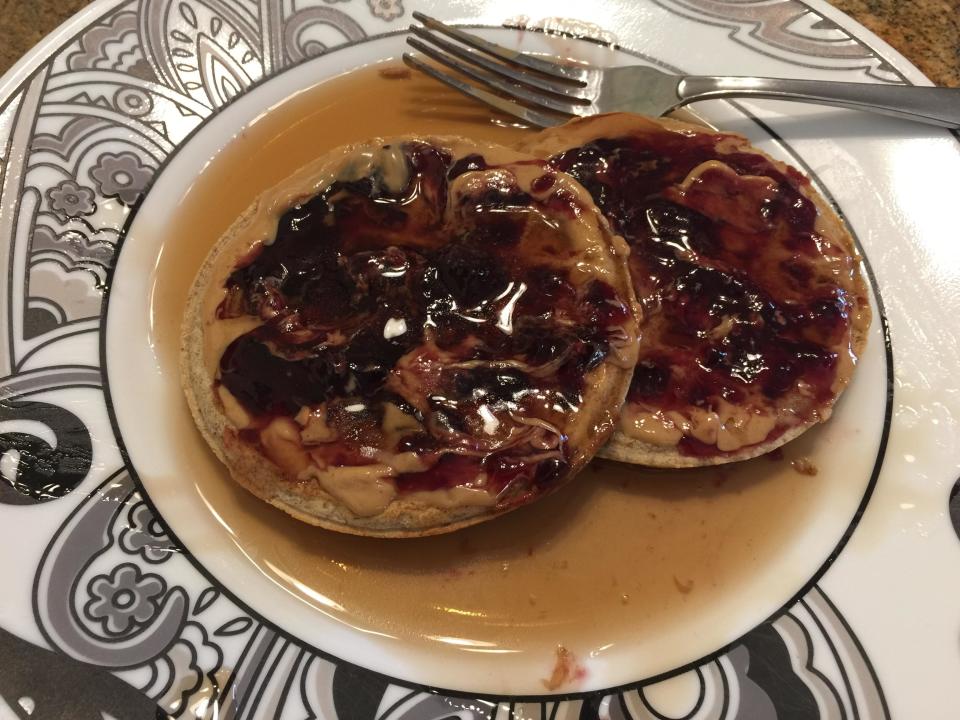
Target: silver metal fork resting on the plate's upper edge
pixel 546 93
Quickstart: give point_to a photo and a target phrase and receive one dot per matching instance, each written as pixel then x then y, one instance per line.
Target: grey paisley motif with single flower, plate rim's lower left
pixel 103 597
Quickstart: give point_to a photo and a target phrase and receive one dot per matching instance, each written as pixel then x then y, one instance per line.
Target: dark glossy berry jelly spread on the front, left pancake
pixel 399 319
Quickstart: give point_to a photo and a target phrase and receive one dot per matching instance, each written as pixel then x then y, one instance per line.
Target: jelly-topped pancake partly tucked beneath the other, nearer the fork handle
pixel 754 307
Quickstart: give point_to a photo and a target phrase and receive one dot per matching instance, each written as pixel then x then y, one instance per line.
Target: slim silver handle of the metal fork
pixel 932 105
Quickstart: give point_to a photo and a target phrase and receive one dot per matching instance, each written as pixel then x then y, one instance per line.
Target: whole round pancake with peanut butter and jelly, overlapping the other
pixel 410 336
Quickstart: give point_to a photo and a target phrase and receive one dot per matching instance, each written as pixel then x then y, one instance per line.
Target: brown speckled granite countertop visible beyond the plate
pixel 927 32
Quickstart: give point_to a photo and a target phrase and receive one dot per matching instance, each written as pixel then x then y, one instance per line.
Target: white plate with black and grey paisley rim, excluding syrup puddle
pixel 109 610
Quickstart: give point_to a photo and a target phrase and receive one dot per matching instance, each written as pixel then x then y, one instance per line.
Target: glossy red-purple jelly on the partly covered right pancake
pixel 744 298
